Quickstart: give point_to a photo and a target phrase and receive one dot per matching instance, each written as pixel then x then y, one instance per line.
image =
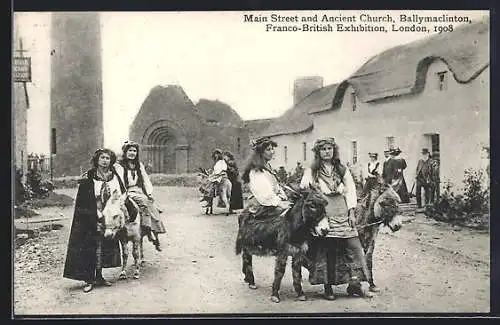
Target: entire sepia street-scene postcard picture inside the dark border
pixel 274 162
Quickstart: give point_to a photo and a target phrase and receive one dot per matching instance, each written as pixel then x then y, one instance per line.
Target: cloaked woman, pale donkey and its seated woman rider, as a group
pixel 114 204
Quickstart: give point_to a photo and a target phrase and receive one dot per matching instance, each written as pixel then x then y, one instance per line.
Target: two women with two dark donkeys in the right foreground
pixel 318 221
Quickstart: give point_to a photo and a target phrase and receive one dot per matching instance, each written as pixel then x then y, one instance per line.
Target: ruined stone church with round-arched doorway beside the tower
pixel 178 136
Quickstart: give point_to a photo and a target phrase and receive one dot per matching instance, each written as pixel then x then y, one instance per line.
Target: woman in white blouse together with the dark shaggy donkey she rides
pixel 274 223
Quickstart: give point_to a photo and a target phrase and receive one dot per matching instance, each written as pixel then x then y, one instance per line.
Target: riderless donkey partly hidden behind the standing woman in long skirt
pixel 378 207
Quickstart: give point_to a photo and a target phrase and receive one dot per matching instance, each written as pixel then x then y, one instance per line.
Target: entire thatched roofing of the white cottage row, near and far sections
pixel 398 71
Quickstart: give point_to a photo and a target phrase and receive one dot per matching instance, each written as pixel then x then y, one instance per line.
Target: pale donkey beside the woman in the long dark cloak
pixel 118 222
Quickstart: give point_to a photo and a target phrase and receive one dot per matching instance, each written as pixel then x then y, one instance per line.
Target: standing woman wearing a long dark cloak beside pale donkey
pixel 89 248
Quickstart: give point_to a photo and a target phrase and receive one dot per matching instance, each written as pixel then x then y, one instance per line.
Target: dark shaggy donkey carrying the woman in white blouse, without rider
pixel 268 234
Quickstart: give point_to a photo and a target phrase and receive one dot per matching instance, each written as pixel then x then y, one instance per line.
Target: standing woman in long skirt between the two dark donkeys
pixel 336 253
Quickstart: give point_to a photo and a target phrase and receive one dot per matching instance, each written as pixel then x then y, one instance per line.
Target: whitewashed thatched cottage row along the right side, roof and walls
pixel 432 93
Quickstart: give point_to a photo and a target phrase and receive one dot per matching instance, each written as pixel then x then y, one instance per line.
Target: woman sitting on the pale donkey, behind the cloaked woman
pixel 140 189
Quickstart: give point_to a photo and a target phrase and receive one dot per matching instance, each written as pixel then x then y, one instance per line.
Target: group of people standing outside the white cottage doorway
pixel 391 171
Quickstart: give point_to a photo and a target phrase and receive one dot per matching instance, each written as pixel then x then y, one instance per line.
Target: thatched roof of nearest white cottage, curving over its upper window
pixel 401 70
